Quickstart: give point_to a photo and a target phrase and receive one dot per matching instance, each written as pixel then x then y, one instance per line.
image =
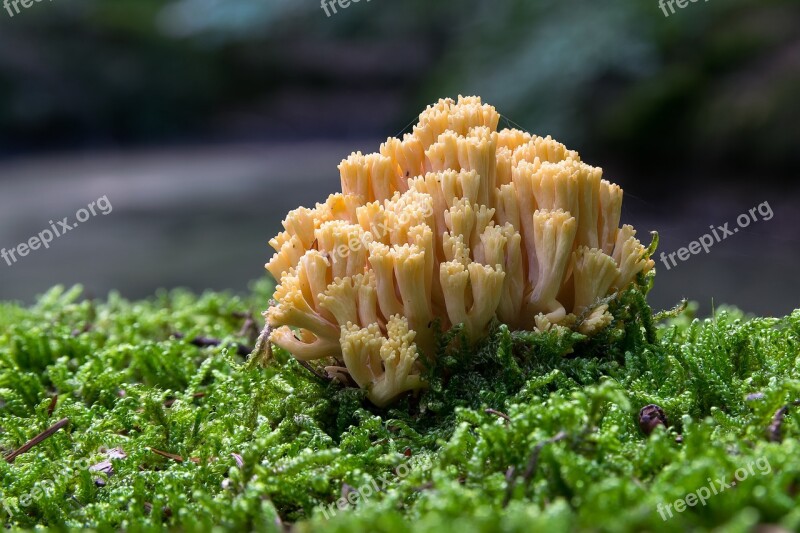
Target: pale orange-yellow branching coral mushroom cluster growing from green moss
pixel 455 223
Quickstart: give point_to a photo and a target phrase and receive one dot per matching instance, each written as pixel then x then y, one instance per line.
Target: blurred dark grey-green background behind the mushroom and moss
pixel 205 121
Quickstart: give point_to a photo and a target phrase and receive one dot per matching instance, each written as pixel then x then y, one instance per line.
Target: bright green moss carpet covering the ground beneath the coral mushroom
pixel 271 448
